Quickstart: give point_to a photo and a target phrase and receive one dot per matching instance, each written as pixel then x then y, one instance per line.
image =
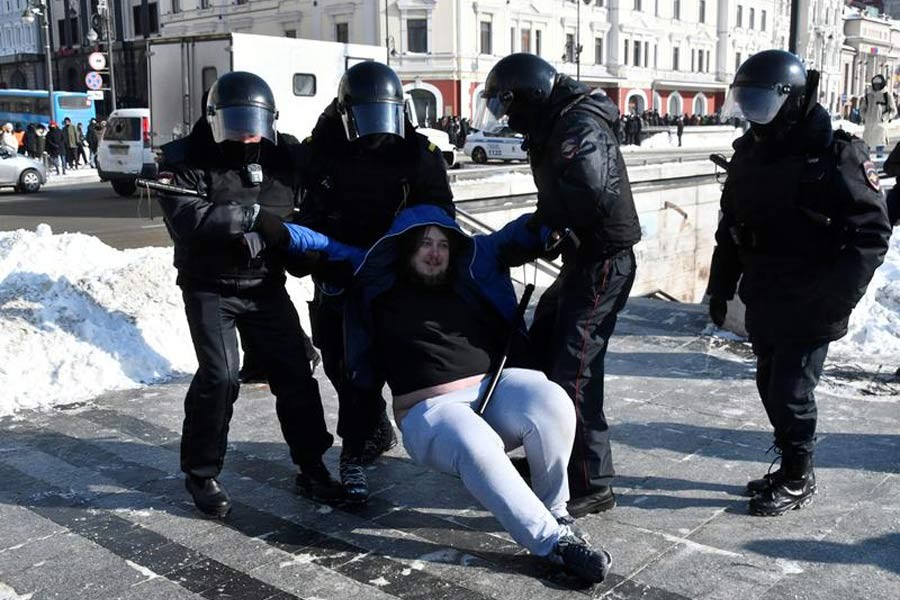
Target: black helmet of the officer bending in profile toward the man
pixel 517 89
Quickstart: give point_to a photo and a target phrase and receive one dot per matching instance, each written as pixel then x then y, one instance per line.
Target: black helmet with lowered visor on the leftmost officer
pixel 241 105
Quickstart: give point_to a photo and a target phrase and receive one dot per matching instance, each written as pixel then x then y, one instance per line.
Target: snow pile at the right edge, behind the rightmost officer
pixel 875 324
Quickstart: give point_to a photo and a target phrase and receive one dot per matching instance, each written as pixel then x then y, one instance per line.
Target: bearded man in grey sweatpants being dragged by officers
pixel 429 311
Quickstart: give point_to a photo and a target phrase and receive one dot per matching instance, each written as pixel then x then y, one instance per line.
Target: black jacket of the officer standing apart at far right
pixel 804 226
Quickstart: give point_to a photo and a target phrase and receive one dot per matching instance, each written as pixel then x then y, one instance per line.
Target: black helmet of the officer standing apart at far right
pixel 773 90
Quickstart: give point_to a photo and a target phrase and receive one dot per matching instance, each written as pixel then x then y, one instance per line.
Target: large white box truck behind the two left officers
pixel 303 75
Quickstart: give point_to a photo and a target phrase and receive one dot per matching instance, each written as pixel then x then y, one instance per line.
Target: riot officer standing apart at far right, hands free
pixel 803 226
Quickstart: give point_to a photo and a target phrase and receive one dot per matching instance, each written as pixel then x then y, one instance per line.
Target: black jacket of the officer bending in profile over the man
pixel 580 173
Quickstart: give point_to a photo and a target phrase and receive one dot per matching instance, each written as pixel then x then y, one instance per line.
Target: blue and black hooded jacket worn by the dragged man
pixel 480 273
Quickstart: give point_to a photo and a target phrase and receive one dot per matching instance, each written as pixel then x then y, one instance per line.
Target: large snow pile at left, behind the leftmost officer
pixel 78 318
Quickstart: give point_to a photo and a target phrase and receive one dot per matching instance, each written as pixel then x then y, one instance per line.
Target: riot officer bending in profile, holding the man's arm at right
pixel 583 186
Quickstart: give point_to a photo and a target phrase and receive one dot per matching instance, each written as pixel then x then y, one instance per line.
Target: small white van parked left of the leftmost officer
pixel 125 152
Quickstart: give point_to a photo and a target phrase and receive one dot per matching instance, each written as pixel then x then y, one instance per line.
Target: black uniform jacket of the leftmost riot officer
pixel 208 232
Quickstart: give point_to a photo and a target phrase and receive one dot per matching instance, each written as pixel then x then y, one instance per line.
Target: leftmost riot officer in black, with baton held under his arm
pixel 242 170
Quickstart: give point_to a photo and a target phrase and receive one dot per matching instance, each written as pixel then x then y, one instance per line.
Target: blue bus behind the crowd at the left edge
pixel 31 106
